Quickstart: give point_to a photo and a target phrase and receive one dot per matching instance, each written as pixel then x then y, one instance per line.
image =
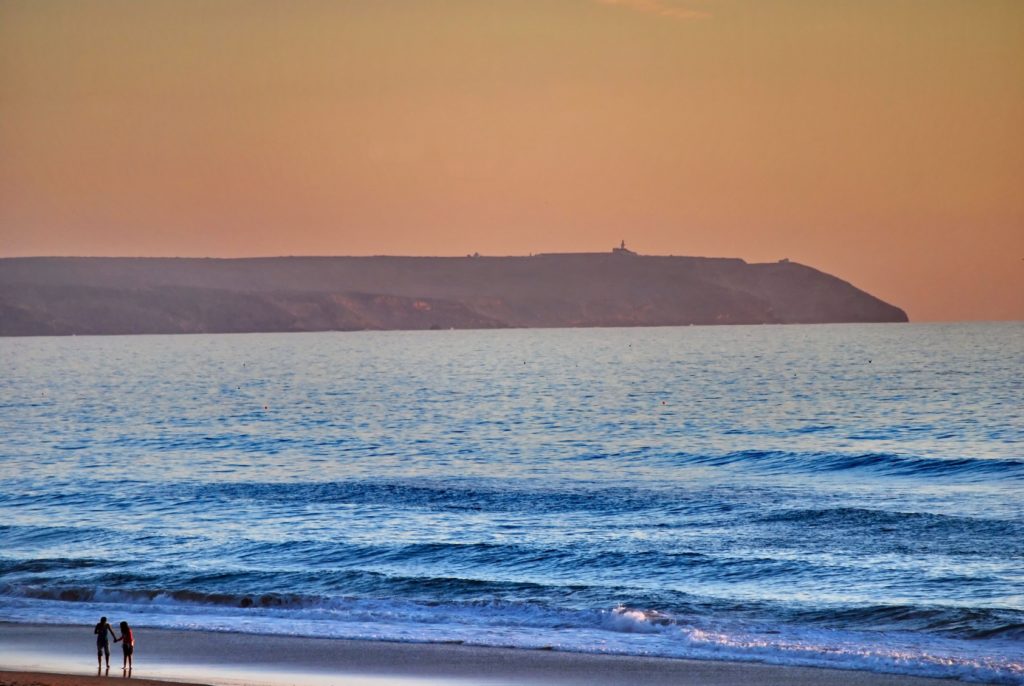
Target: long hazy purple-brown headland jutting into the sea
pixel 69 295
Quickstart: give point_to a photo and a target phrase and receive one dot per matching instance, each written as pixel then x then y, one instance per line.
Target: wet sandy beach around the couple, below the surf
pixel 62 656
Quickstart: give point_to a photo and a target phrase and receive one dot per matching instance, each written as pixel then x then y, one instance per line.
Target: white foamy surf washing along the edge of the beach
pixel 618 631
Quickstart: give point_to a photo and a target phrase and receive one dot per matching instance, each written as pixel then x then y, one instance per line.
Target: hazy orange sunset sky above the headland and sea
pixel 880 141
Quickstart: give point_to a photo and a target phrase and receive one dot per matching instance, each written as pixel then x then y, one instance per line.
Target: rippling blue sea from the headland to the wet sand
pixel 837 496
